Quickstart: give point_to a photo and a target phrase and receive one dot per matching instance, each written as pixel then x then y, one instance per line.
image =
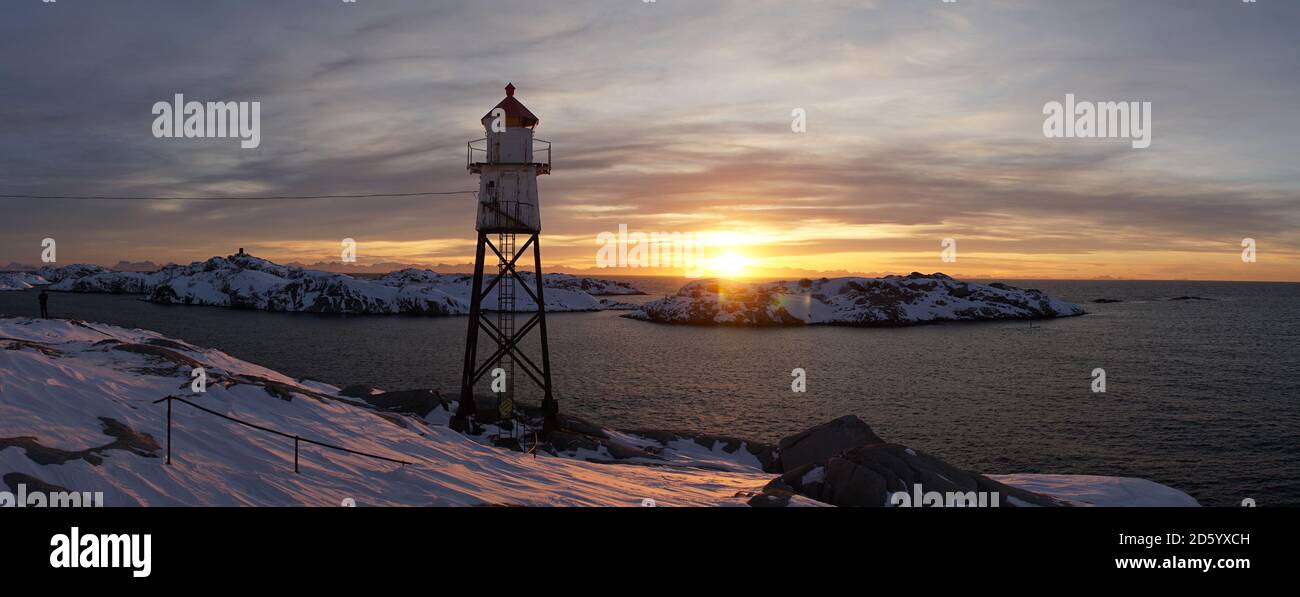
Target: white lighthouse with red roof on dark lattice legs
pixel 508 162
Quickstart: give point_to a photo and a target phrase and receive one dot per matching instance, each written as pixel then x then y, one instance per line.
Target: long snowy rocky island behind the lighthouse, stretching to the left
pixel 245 282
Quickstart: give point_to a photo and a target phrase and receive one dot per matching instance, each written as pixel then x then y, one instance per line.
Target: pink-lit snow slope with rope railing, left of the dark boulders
pixel 77 412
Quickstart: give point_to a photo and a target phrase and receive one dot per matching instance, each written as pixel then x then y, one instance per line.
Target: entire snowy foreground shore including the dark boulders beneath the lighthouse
pixel 77 413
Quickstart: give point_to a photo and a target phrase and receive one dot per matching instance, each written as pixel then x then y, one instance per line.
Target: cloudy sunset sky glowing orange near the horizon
pixel 924 123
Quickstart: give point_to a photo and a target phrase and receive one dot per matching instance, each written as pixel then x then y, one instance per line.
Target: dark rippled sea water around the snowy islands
pixel 1201 395
